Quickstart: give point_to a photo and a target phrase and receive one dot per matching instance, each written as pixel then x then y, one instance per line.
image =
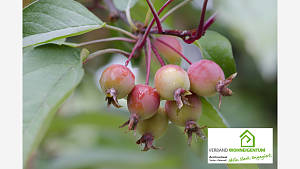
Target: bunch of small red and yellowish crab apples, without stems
pixel 180 89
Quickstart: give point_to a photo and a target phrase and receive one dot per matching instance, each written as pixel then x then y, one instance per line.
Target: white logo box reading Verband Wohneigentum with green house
pixel 240 145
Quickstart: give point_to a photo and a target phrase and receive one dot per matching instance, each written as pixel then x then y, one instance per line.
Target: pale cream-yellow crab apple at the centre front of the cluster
pixel 172 83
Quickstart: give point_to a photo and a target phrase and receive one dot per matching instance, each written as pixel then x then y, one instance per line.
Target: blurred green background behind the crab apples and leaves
pixel 85 133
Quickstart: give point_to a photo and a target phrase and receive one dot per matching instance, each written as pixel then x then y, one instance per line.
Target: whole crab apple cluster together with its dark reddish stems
pixel 180 89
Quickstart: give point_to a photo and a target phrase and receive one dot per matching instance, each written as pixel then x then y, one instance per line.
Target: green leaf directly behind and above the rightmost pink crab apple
pixel 216 47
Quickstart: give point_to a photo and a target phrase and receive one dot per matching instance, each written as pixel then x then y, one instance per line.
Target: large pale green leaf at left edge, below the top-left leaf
pixel 50 74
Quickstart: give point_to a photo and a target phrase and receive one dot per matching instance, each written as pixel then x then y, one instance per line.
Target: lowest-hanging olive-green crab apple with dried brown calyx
pixel 152 128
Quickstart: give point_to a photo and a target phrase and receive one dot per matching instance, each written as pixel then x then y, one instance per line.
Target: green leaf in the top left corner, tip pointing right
pixel 47 20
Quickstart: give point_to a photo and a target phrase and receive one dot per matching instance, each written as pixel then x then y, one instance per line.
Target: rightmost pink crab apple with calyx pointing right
pixel 207 78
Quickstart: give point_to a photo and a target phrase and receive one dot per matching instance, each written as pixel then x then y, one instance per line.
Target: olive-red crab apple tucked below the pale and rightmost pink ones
pixel 187 116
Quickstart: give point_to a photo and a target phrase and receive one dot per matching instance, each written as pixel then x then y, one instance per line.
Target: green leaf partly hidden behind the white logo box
pixel 212 117
